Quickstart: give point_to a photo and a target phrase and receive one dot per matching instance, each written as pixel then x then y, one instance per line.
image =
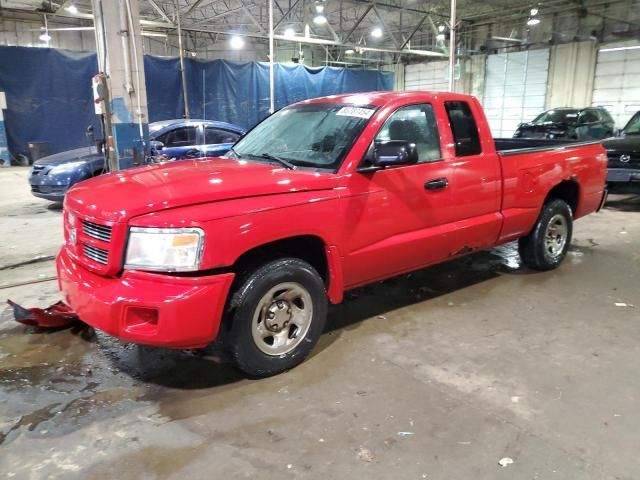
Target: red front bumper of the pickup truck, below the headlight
pixel 146 308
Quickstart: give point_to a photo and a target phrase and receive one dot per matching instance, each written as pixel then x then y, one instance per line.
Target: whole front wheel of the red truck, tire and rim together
pixel 276 316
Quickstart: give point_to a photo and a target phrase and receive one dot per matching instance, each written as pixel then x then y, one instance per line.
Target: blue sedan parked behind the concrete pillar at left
pixel 53 175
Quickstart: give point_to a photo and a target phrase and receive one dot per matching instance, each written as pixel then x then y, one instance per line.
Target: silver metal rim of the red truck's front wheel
pixel 282 319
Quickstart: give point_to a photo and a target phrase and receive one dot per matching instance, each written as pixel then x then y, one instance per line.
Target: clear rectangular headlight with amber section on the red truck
pixel 164 249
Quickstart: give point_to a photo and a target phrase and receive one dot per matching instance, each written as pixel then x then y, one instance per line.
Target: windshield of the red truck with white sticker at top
pixel 313 135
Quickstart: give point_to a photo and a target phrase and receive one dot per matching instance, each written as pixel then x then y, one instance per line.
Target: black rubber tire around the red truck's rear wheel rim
pixel 534 249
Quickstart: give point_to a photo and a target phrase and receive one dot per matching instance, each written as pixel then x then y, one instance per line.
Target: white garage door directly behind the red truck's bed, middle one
pixel 515 89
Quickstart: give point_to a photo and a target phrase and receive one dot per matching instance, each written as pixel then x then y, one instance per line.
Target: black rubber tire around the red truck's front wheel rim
pixel 248 296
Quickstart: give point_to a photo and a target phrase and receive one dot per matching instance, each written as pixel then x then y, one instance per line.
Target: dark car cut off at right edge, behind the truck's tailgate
pixel 624 155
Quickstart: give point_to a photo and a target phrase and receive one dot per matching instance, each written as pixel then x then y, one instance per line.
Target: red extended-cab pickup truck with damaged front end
pixel 321 197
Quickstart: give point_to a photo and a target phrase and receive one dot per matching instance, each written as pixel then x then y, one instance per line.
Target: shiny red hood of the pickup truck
pixel 120 196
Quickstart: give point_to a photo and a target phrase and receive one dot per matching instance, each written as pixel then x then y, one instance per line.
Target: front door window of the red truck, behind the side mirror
pixel 415 124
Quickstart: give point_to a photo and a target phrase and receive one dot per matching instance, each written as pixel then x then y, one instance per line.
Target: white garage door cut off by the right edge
pixel 617 83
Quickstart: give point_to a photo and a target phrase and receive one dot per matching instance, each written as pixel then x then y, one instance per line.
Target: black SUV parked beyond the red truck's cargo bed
pixel 592 123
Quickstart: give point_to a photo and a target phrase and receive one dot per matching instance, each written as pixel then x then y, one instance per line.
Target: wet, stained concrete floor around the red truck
pixel 437 375
